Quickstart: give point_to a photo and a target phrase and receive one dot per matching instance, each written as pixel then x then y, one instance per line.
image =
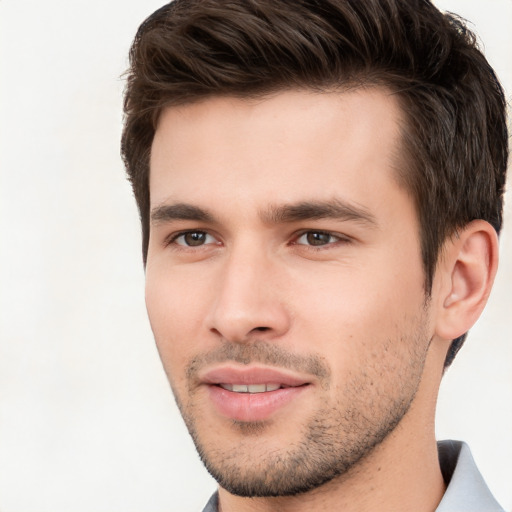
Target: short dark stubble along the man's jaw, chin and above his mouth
pixel 332 443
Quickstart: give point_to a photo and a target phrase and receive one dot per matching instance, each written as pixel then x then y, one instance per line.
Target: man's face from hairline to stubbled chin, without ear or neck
pixel 284 283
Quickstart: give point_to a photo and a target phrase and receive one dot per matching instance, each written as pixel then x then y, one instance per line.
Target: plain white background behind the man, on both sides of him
pixel 87 420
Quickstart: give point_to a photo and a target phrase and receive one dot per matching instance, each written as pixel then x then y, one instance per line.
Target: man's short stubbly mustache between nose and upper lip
pixel 261 352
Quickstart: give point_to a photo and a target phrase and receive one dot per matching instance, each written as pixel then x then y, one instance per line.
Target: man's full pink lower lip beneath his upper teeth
pixel 252 406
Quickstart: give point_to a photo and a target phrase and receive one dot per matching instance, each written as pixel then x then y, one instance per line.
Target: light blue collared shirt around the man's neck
pixel 466 490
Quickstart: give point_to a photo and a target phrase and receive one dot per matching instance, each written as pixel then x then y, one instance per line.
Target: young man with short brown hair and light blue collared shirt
pixel 320 188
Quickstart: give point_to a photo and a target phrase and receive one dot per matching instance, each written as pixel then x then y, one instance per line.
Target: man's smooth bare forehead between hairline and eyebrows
pixel 291 146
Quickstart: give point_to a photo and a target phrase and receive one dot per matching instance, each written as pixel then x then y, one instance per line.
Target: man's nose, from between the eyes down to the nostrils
pixel 248 301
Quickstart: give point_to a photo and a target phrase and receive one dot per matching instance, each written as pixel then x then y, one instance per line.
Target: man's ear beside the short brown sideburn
pixel 467 266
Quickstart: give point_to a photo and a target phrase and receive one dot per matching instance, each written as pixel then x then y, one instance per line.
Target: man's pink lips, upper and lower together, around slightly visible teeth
pixel 252 407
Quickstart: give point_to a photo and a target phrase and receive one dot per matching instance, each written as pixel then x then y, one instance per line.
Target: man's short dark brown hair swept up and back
pixel 455 140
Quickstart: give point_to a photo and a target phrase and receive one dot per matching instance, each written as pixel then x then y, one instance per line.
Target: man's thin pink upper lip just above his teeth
pixel 250 375
